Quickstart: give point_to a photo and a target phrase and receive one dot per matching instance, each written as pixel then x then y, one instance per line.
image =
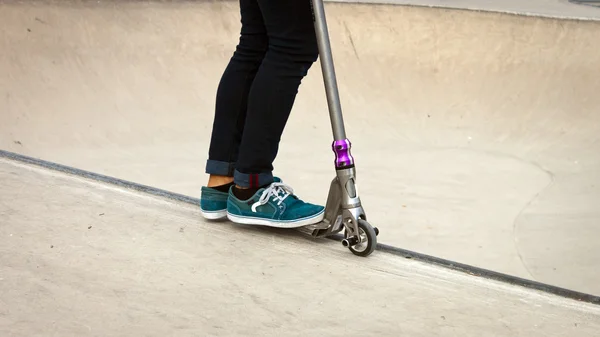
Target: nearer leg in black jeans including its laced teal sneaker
pixel 293 49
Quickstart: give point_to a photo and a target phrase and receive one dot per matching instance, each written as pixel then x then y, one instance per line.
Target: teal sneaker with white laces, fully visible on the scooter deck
pixel 274 206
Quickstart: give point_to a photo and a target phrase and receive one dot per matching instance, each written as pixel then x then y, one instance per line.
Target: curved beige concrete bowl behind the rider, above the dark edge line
pixel 476 134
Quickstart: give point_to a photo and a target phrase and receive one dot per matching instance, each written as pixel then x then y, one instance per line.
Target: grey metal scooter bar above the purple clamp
pixel 326 58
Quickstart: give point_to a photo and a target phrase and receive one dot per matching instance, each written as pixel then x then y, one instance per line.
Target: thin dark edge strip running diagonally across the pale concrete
pixel 432 260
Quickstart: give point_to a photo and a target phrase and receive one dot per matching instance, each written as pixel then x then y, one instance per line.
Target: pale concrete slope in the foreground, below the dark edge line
pixel 81 258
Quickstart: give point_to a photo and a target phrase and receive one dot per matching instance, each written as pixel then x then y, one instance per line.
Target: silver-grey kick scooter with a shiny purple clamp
pixel 343 210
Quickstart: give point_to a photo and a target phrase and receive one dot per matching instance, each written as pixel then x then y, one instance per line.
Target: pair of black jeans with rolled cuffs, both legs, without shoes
pixel 277 47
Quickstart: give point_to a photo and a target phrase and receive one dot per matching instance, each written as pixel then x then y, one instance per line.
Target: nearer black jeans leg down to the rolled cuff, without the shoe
pixel 292 51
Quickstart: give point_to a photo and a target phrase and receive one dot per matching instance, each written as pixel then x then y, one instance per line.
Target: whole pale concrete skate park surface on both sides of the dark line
pixel 476 139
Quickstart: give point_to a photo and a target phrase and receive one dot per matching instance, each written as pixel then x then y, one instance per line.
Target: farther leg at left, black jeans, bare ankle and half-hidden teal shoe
pixel 230 109
